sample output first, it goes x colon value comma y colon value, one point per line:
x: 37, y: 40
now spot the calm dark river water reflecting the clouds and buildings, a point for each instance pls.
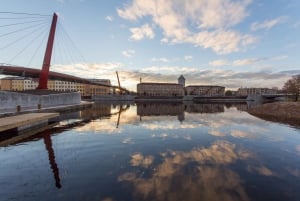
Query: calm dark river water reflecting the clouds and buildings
x: 155, y: 152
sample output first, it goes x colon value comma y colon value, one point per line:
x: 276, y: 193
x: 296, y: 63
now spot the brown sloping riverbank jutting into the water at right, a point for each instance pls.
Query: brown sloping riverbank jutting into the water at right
x: 283, y: 112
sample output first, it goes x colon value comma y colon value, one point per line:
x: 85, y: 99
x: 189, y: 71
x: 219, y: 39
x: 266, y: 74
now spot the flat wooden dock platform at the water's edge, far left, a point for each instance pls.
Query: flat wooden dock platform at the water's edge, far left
x: 12, y: 122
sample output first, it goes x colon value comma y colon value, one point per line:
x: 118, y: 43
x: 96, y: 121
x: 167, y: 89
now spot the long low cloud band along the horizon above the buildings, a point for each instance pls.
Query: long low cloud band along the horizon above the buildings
x: 169, y: 73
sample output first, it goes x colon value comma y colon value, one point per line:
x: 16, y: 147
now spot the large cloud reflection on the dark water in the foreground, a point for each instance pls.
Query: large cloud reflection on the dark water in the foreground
x: 201, y: 173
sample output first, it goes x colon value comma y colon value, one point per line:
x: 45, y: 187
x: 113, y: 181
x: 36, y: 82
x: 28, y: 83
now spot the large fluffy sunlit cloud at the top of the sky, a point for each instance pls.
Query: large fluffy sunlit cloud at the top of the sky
x: 203, y: 23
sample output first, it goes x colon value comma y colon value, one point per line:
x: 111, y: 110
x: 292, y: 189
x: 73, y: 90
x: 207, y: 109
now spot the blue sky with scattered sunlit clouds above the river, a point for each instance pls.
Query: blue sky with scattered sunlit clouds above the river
x: 232, y: 43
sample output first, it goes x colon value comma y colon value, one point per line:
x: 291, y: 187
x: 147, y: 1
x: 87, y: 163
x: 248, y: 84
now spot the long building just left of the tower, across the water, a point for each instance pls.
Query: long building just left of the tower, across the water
x: 160, y: 89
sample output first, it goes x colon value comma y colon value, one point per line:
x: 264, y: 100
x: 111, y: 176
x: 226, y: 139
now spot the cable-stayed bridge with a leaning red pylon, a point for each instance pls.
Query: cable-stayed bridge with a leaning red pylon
x: 24, y: 30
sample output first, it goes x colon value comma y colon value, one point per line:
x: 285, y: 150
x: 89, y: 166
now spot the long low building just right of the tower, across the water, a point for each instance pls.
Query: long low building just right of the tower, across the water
x: 205, y: 90
